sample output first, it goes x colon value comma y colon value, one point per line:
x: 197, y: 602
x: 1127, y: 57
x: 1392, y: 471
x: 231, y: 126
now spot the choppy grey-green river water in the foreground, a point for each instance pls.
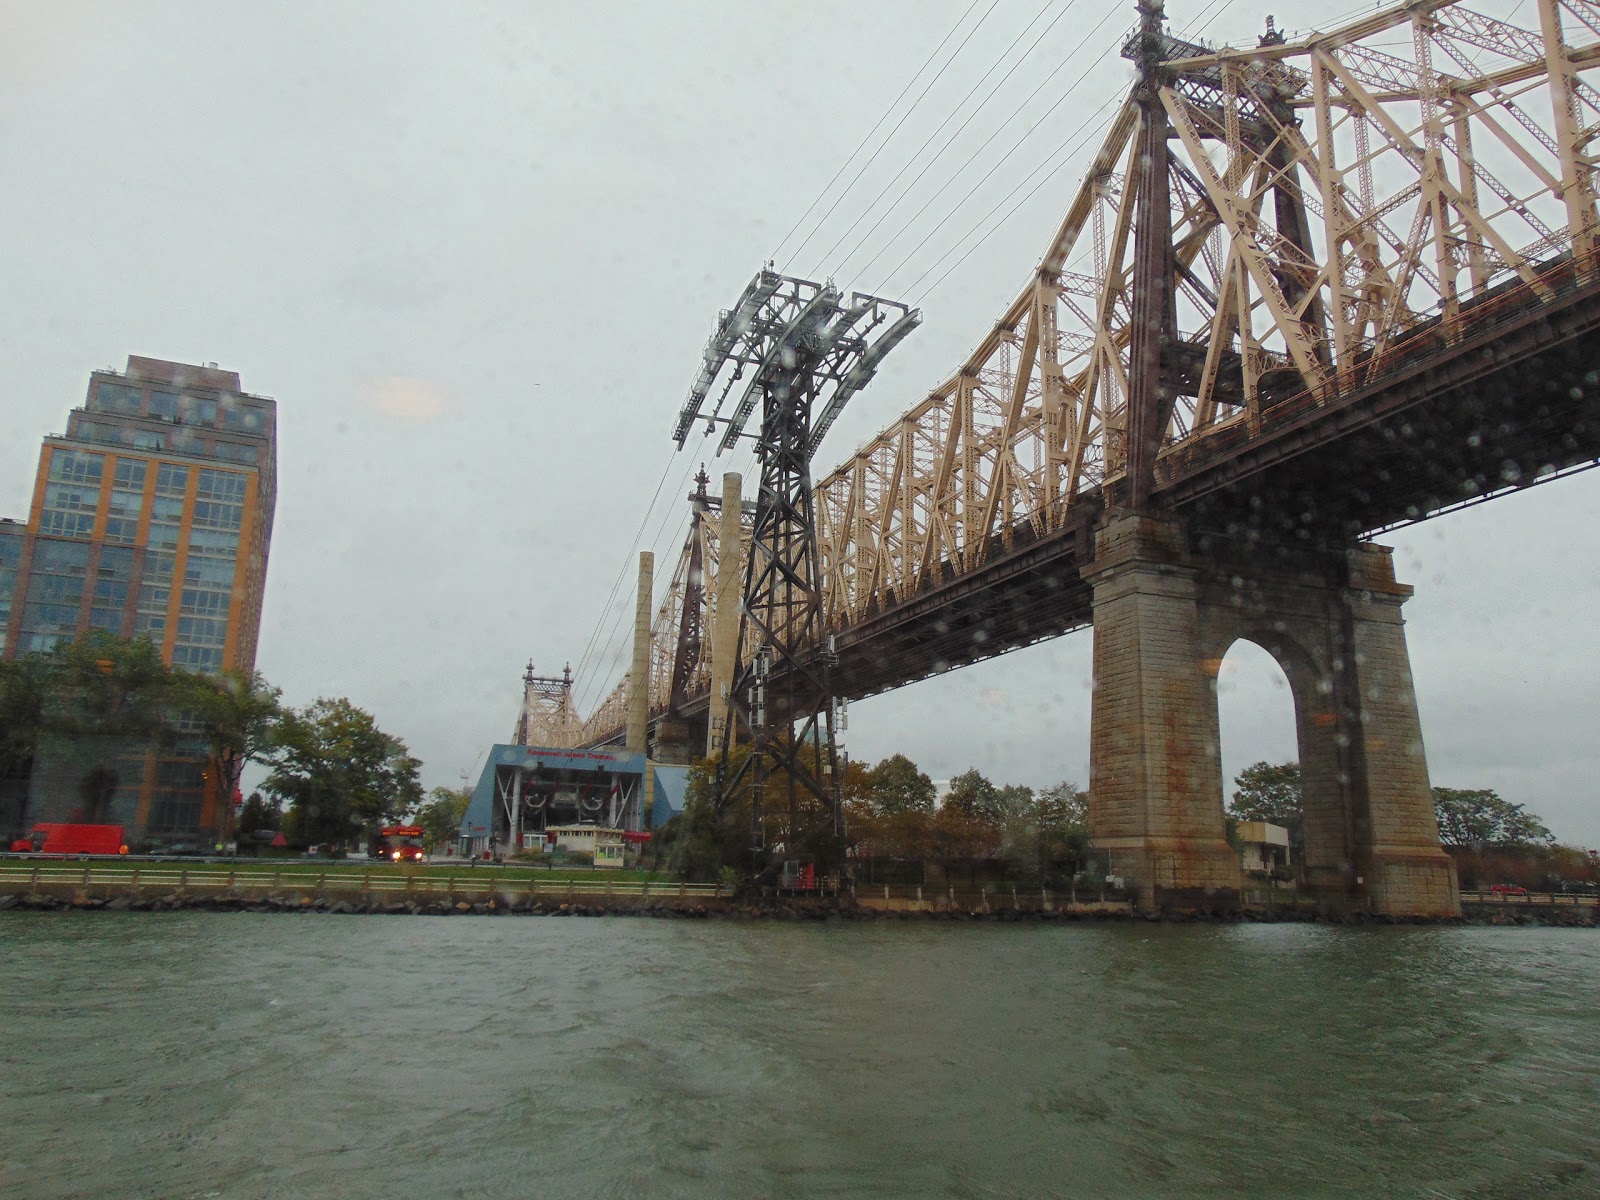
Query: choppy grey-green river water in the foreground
x: 241, y: 1055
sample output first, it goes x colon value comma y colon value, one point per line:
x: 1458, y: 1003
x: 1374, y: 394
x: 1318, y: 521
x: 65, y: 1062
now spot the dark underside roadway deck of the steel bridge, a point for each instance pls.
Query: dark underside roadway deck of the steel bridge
x: 1505, y: 398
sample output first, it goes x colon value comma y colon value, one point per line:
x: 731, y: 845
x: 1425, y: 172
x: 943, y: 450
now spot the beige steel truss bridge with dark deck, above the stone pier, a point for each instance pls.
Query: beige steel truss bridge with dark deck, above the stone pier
x: 1308, y: 290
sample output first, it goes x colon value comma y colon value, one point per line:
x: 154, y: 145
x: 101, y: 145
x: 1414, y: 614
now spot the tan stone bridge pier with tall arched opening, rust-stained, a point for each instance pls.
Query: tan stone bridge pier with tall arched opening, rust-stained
x: 1169, y: 604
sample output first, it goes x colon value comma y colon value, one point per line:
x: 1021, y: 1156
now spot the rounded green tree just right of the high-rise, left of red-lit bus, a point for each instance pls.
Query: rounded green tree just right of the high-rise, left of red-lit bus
x: 340, y: 774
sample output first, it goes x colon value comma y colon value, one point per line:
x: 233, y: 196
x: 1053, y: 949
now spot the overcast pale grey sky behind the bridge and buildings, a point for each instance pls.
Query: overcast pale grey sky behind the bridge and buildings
x: 474, y: 250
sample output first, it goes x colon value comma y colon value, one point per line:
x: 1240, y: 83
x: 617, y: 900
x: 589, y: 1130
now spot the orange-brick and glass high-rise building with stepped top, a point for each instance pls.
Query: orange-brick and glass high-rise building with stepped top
x: 151, y: 518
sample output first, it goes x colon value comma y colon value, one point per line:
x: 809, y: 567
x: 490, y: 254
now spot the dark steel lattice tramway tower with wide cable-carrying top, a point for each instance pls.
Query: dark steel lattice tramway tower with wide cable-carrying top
x: 807, y: 351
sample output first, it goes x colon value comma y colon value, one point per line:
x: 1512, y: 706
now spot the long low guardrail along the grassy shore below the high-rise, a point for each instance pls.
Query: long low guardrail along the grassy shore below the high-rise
x: 90, y: 878
